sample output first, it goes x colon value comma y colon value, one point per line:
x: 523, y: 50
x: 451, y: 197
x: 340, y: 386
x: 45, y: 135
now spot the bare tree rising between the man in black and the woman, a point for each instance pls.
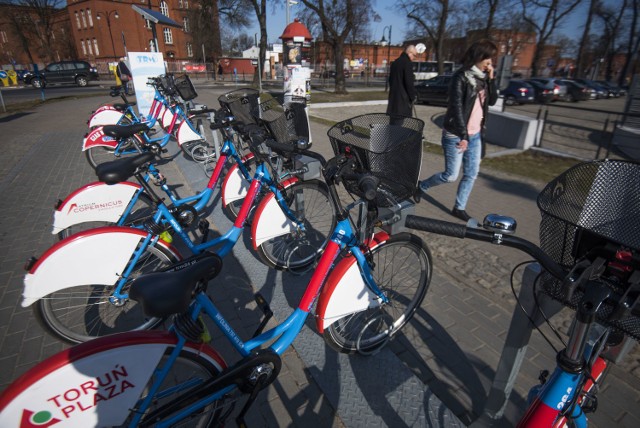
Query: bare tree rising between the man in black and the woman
x: 431, y: 17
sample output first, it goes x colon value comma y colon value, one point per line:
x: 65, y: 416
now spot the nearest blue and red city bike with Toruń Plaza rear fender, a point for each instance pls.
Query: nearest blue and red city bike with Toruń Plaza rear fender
x: 169, y: 379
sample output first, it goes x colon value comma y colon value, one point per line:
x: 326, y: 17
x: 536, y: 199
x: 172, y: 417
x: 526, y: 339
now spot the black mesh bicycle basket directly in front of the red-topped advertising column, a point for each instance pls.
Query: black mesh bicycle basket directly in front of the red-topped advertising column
x: 287, y: 123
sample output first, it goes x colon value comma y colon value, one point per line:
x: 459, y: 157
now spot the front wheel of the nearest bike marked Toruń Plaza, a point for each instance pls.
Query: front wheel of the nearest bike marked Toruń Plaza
x: 401, y: 267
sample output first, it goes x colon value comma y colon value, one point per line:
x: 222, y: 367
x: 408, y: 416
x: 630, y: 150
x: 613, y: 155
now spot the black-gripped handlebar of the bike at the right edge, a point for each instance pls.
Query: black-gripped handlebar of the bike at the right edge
x: 462, y: 231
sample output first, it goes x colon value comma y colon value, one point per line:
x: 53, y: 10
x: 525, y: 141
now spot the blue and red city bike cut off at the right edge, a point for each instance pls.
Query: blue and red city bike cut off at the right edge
x: 590, y: 253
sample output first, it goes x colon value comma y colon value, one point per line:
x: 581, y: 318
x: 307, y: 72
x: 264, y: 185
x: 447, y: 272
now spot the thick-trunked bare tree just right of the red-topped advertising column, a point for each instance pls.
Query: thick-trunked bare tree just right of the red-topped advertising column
x: 337, y: 18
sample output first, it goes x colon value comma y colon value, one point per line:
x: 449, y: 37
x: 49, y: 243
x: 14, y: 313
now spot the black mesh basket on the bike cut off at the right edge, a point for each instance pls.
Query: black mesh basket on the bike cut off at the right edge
x: 590, y: 204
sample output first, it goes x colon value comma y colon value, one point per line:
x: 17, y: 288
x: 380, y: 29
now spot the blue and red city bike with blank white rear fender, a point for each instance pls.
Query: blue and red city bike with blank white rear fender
x: 80, y: 296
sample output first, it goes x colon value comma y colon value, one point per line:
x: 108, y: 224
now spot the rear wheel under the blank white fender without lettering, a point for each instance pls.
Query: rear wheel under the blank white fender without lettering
x: 81, y: 313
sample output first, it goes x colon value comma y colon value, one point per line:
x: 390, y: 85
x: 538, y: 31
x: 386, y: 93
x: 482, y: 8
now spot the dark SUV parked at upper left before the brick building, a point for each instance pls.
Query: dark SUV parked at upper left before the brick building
x: 74, y: 72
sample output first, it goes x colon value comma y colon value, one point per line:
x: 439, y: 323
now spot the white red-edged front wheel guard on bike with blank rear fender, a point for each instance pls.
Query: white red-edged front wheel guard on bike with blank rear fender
x: 269, y: 220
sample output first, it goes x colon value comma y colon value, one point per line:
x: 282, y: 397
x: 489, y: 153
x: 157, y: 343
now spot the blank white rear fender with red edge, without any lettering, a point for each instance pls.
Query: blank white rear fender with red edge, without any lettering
x: 95, y: 256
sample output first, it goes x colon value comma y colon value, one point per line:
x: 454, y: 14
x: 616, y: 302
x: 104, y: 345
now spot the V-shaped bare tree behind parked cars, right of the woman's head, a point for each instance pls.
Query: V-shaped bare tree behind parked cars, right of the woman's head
x: 544, y: 16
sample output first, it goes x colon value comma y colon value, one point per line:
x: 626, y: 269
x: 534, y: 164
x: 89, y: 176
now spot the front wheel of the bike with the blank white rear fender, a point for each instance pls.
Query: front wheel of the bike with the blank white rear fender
x: 309, y: 202
